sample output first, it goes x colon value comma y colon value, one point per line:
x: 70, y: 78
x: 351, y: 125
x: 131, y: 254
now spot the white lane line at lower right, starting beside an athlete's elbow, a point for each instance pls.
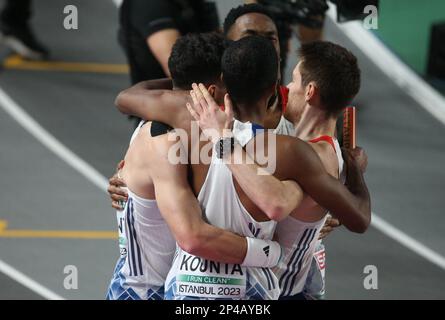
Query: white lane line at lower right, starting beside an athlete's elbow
x: 407, y: 241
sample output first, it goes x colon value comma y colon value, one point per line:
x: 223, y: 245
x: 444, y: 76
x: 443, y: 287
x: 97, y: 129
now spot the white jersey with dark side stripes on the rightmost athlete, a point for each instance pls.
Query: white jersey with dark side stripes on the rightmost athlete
x: 300, y: 242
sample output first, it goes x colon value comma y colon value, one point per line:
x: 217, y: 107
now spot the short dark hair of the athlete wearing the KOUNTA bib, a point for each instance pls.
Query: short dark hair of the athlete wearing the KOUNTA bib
x: 249, y: 67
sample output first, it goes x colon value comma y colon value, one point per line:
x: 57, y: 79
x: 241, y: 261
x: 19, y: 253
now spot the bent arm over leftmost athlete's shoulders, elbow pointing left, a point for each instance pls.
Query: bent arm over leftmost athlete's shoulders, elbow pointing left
x: 153, y: 100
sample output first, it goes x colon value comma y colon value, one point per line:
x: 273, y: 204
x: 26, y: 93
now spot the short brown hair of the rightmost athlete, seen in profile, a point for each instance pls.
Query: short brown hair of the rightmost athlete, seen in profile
x: 334, y: 70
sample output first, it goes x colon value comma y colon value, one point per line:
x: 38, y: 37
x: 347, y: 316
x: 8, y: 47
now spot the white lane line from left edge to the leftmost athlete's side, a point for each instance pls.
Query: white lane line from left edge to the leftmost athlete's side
x: 49, y: 141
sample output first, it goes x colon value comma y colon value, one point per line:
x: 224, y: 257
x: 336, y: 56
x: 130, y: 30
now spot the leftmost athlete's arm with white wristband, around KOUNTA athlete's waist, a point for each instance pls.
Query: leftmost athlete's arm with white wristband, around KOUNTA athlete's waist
x: 182, y: 213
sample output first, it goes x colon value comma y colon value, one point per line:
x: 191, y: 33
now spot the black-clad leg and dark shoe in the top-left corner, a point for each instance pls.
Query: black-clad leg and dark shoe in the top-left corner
x: 16, y: 33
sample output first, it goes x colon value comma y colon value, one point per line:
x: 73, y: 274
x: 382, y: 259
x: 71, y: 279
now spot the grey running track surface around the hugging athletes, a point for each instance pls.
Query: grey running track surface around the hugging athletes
x: 39, y: 191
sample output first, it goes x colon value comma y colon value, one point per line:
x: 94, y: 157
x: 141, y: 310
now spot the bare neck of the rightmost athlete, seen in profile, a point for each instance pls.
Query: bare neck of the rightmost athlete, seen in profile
x: 314, y: 123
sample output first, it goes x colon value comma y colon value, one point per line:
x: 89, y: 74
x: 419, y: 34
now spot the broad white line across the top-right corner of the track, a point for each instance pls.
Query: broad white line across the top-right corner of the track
x: 408, y: 80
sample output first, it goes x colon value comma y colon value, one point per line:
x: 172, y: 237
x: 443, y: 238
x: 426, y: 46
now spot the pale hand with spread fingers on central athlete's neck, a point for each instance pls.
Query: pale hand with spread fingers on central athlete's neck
x: 214, y: 122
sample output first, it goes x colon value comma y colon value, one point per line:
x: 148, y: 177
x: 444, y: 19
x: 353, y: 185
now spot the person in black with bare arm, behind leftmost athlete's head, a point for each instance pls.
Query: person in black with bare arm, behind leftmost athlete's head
x: 149, y: 28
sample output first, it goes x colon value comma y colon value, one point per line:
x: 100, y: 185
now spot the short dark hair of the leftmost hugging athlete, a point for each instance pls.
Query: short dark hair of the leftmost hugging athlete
x: 196, y: 58
